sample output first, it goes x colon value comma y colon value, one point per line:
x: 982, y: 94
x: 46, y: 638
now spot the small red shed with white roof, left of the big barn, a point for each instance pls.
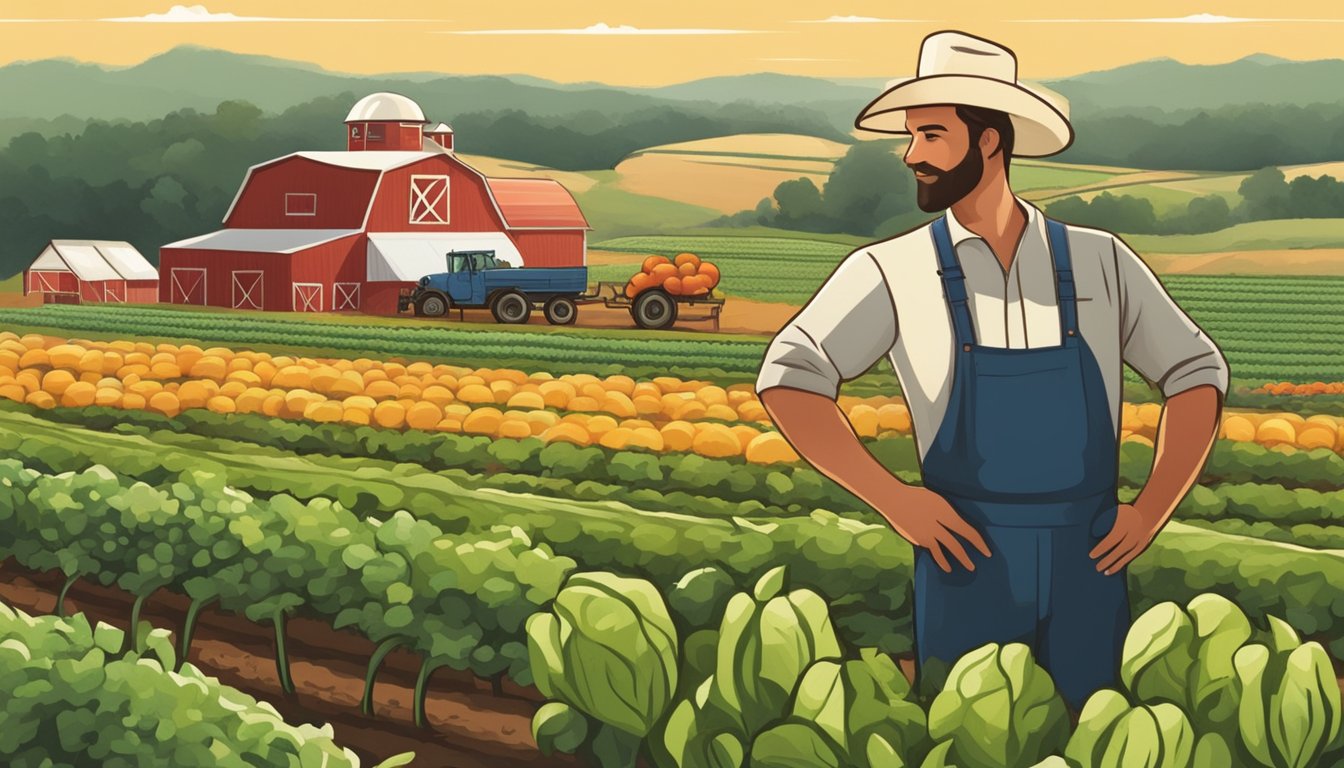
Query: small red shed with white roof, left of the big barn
x: 95, y: 270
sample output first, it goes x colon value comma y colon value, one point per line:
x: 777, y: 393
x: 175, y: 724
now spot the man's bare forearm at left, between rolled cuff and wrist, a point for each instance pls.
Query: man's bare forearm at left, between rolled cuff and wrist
x: 819, y: 431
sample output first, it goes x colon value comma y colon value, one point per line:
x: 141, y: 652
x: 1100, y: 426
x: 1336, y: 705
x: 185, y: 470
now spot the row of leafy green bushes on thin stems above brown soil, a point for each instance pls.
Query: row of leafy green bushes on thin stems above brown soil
x: 458, y: 599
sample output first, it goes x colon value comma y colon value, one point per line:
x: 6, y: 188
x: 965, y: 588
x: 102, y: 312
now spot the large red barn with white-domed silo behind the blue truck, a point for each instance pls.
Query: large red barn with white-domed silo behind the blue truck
x: 318, y: 232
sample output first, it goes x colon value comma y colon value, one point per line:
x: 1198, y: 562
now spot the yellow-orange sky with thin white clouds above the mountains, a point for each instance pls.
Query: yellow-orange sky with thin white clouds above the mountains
x: 648, y: 44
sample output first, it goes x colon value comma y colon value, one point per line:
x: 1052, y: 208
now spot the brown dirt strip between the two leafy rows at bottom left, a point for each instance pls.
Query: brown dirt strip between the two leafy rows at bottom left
x: 470, y: 727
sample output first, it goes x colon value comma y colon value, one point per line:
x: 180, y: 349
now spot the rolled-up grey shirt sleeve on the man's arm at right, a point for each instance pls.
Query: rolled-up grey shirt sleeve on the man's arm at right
x: 1158, y: 337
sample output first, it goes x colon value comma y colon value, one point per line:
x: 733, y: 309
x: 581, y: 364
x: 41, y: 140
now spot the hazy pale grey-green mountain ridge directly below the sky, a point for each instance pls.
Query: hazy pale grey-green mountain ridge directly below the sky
x: 201, y: 79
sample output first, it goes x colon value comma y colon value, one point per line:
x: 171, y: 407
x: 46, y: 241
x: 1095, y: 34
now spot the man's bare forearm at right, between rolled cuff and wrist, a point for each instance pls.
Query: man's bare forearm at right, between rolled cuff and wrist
x: 1185, y: 438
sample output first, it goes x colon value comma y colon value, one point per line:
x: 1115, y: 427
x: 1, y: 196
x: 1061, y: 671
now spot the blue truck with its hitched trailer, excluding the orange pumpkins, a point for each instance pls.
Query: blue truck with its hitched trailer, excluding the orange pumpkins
x: 476, y: 279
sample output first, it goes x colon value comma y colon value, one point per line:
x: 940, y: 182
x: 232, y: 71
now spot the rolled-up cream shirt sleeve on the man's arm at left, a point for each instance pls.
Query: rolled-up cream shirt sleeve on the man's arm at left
x: 847, y: 326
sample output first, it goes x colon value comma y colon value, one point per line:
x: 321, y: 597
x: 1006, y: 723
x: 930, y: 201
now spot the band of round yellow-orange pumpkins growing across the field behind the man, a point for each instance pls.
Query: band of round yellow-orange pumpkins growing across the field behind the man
x: 665, y: 414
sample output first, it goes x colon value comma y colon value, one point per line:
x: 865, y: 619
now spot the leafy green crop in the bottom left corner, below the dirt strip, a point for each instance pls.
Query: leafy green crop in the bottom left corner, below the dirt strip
x: 75, y: 699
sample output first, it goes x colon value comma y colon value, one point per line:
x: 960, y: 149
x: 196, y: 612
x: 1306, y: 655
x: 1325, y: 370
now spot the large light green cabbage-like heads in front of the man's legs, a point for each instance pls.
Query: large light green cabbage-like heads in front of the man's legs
x: 772, y: 685
